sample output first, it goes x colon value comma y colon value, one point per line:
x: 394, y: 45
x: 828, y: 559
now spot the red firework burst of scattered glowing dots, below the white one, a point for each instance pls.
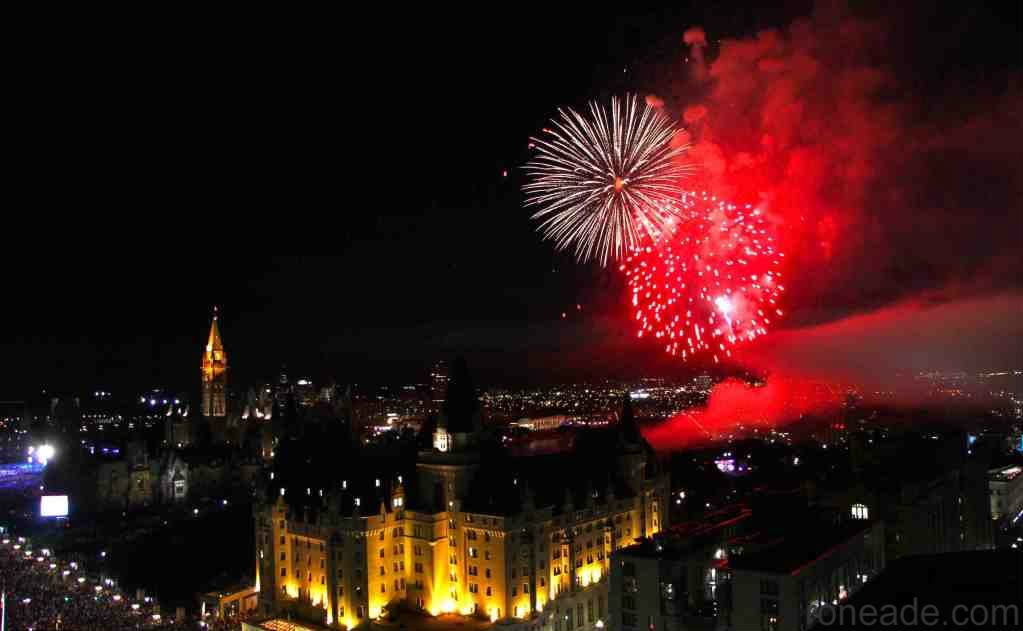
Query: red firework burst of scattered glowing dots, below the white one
x: 710, y: 282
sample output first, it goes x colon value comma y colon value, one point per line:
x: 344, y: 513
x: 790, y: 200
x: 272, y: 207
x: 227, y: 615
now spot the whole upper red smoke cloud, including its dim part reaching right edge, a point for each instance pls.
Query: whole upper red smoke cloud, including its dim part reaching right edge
x: 880, y: 190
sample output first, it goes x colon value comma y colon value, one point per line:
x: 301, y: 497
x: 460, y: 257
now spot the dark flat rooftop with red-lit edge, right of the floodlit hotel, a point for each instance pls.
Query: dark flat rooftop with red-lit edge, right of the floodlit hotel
x: 791, y: 553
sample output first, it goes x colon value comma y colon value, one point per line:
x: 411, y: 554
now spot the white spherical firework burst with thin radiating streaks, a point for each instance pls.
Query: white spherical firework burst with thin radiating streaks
x: 606, y: 183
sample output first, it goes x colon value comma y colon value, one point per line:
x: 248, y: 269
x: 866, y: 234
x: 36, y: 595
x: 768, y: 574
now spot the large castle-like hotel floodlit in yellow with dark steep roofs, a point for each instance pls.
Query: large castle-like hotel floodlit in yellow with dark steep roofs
x: 466, y: 530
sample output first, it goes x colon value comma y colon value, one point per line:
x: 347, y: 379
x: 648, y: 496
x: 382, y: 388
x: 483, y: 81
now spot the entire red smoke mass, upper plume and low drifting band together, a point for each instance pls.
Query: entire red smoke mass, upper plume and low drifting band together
x: 897, y: 198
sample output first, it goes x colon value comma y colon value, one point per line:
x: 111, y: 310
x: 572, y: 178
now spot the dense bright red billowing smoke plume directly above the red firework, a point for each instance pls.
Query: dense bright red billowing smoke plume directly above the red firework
x: 792, y: 118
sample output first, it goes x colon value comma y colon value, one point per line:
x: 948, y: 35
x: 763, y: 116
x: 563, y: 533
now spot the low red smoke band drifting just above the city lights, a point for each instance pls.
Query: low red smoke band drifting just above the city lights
x: 810, y: 368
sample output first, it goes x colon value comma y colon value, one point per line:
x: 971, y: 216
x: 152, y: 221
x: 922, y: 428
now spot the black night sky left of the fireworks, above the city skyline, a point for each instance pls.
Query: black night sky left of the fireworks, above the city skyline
x: 156, y: 169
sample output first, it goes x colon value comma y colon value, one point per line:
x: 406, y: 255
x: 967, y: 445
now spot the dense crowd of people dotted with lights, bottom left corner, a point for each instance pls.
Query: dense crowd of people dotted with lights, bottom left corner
x: 42, y: 594
